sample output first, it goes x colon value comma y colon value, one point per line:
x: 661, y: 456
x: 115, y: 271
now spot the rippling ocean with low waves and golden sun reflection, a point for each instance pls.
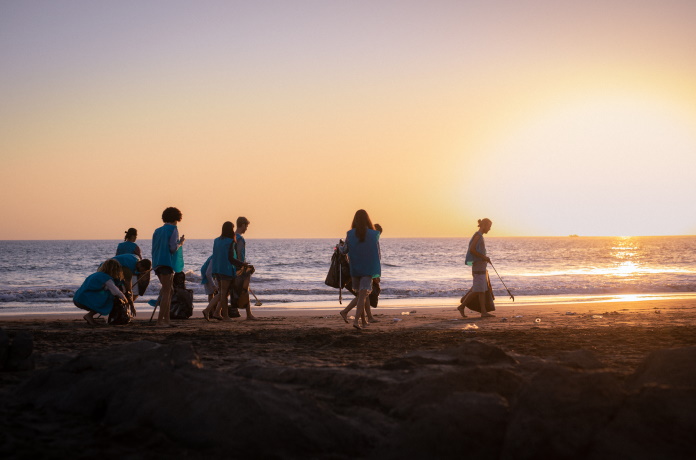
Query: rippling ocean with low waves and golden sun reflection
x: 41, y: 276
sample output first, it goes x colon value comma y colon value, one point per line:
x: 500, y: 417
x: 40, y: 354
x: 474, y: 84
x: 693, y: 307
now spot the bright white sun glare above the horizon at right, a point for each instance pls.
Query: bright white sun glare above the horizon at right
x: 602, y: 167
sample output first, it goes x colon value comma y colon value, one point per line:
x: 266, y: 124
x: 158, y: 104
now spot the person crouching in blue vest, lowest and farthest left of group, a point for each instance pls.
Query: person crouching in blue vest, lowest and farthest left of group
x: 97, y: 293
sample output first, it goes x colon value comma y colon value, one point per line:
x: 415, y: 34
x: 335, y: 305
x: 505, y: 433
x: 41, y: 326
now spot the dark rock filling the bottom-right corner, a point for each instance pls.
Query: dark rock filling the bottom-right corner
x: 655, y: 422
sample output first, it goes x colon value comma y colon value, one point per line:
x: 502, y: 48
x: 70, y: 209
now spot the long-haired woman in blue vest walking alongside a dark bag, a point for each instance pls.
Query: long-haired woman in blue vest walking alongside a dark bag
x: 362, y: 247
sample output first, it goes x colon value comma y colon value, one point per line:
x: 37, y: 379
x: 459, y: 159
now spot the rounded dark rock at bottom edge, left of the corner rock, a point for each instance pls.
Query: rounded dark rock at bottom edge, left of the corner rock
x: 559, y: 411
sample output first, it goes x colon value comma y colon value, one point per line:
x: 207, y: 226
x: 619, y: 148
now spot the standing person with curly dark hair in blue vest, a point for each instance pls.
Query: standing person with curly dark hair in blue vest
x: 165, y: 245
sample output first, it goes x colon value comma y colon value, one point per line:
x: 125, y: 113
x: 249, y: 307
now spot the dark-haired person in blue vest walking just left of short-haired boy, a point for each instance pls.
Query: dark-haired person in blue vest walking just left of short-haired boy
x: 225, y: 265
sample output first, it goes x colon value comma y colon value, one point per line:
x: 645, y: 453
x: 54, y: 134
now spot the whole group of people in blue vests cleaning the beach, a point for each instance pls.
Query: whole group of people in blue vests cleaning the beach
x: 227, y: 269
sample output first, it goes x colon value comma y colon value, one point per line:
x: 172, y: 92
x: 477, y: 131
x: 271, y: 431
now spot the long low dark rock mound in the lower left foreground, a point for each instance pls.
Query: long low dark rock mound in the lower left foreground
x: 165, y: 389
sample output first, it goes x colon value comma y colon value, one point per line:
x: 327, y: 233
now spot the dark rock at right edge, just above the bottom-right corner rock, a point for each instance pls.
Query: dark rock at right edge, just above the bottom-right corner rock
x: 675, y: 367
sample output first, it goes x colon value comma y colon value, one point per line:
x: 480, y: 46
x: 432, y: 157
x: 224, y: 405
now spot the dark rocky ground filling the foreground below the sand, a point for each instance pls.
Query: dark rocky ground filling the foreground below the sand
x: 468, y: 399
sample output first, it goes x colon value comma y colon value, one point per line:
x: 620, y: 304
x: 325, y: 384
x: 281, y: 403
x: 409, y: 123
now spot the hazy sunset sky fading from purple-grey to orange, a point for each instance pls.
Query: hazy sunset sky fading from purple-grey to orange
x: 549, y: 117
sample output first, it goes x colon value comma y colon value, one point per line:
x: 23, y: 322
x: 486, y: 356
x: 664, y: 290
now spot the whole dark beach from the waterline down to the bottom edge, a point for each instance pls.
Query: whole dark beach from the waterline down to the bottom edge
x: 371, y: 386
